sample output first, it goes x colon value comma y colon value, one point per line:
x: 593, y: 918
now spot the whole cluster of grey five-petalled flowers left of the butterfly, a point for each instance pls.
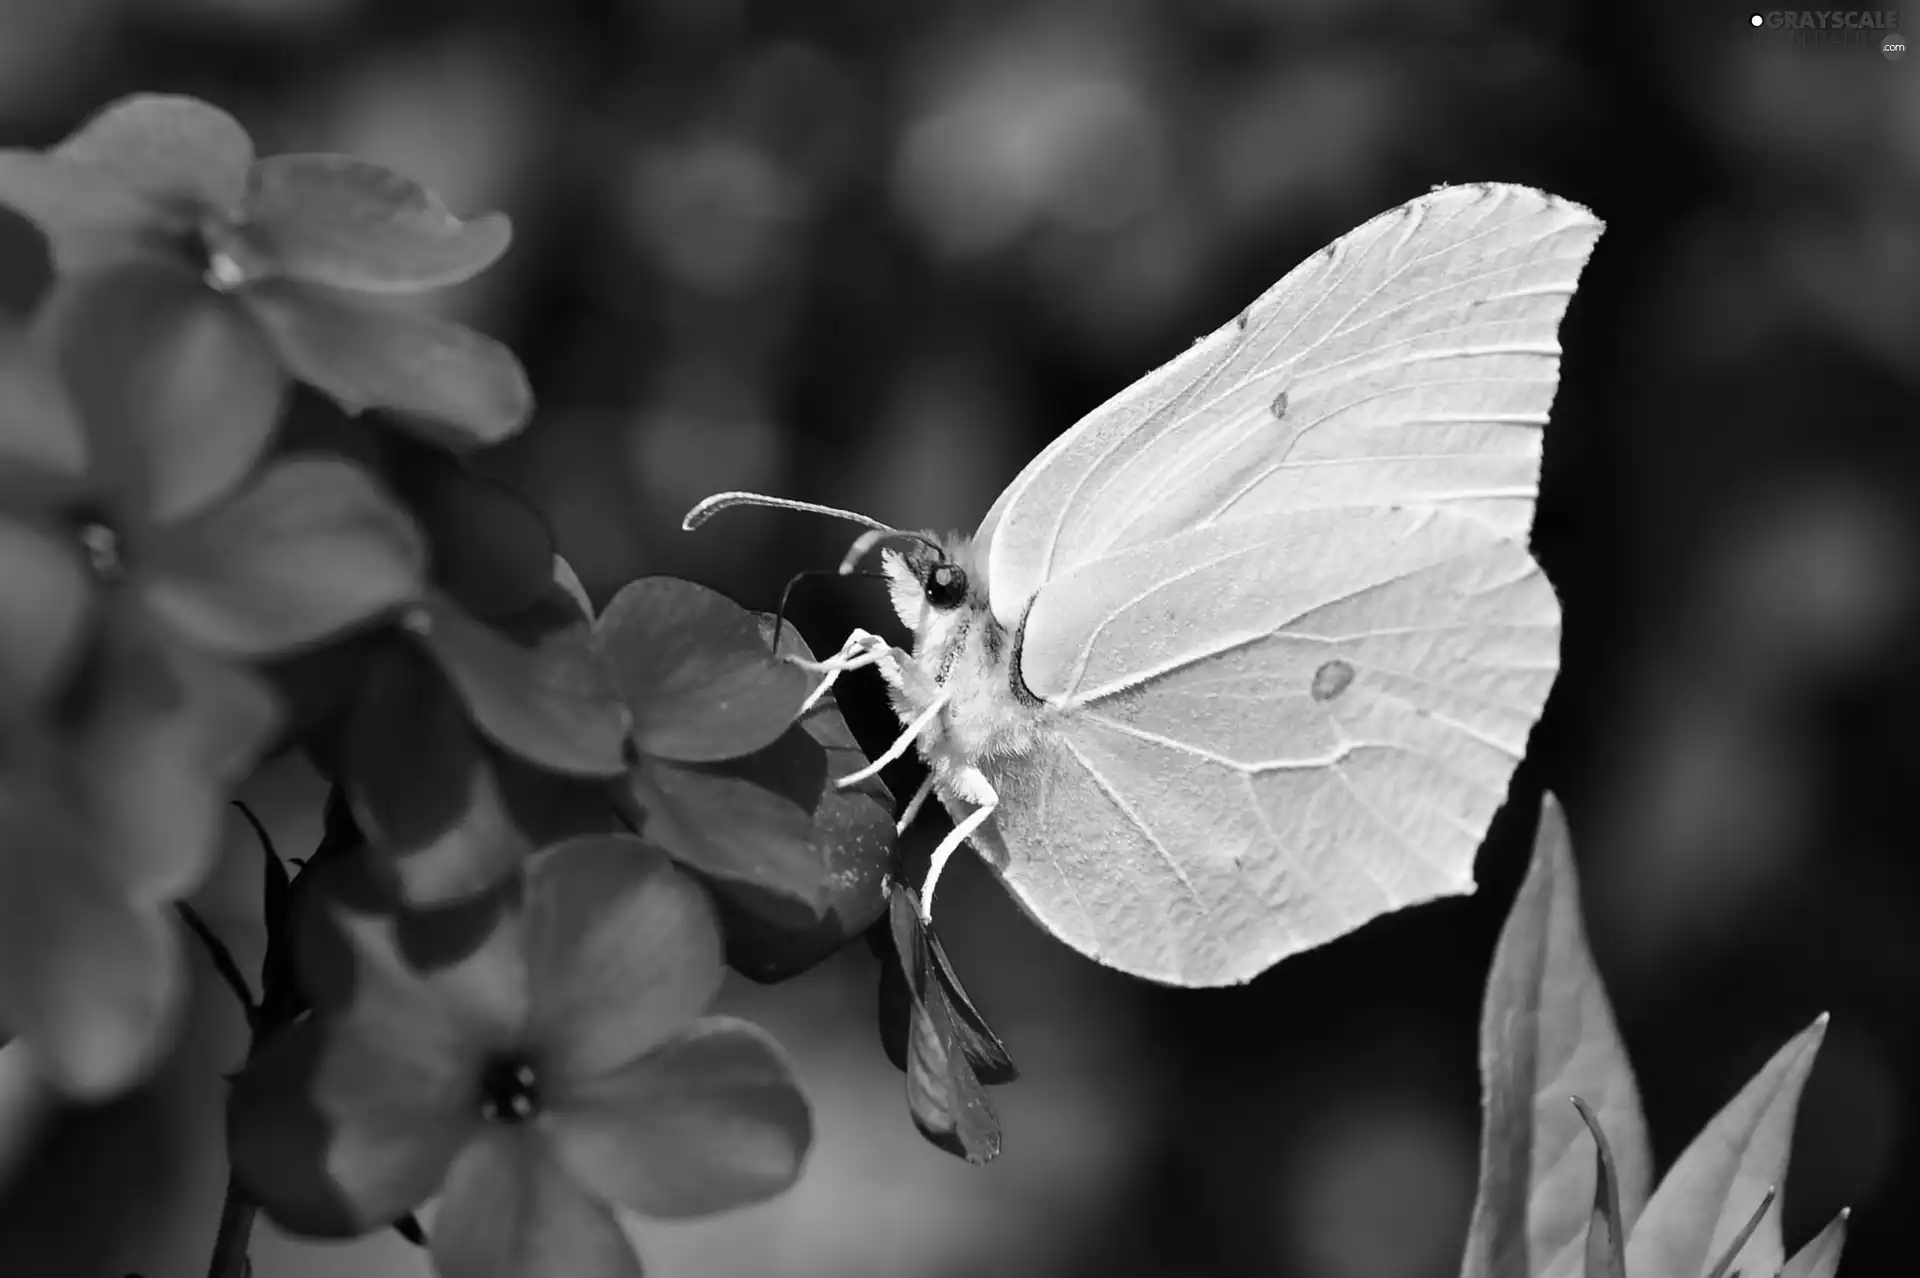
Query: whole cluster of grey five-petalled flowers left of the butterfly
x: 239, y: 517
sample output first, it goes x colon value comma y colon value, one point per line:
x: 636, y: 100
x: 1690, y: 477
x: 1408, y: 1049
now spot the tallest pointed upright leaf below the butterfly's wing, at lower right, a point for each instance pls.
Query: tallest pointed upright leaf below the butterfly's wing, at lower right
x: 1547, y: 1033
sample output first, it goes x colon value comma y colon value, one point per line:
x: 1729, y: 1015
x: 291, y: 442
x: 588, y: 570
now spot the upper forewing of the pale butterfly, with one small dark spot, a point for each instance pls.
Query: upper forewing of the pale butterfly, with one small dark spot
x: 1412, y: 362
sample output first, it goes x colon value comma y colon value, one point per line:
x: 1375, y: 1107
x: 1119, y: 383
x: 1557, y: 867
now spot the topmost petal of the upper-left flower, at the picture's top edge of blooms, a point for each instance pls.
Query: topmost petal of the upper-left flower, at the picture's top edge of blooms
x: 180, y: 151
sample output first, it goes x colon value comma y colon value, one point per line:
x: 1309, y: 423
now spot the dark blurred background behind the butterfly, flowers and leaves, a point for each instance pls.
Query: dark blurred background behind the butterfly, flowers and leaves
x: 878, y: 254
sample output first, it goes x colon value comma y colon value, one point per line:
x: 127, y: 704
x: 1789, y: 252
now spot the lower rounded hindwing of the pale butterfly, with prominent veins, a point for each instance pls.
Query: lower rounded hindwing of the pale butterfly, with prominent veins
x: 1268, y: 732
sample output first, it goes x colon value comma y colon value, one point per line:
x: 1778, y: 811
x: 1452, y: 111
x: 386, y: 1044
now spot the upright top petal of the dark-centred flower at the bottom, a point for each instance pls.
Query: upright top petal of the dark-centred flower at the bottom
x: 623, y: 953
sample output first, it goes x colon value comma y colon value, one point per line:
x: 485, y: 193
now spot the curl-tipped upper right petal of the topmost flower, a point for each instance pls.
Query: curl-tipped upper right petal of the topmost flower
x: 348, y: 224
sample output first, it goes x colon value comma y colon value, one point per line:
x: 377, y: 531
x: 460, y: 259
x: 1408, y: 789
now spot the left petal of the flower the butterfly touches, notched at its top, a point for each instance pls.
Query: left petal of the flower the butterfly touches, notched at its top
x: 552, y: 701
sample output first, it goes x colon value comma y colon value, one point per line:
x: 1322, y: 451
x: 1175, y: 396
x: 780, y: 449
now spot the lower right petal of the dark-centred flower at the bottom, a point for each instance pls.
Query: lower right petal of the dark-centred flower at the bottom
x: 709, y: 1122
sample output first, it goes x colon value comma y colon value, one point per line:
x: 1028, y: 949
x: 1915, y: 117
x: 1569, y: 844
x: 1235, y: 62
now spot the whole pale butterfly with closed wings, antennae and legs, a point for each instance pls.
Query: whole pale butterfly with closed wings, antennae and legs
x: 1251, y: 653
